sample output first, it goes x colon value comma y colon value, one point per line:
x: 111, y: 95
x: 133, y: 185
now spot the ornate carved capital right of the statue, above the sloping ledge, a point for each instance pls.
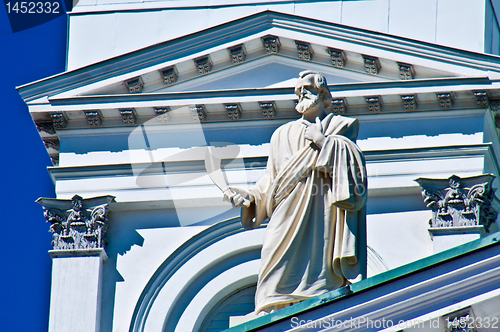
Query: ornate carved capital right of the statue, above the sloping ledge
x: 460, y: 202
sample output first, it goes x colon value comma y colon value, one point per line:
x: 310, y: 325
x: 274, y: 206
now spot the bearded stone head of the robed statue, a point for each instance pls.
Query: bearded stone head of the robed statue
x: 313, y: 92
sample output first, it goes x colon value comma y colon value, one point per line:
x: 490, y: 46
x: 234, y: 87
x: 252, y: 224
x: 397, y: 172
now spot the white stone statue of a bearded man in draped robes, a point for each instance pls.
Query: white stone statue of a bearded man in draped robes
x: 314, y: 194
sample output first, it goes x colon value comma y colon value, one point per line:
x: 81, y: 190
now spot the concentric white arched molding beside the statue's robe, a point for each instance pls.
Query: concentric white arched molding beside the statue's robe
x: 203, y: 259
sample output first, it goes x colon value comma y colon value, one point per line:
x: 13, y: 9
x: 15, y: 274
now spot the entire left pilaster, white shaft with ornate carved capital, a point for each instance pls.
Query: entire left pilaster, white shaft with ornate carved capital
x: 78, y: 226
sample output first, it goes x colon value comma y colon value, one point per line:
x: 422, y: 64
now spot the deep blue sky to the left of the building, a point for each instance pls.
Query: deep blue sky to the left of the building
x: 25, y: 56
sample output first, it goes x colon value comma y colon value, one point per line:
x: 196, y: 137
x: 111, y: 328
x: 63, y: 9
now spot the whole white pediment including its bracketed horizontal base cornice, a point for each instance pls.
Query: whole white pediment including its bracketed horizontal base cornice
x: 376, y: 73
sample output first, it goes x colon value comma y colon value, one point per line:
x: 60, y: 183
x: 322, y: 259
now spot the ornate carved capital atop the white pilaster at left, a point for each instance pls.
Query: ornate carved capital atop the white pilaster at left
x: 77, y: 223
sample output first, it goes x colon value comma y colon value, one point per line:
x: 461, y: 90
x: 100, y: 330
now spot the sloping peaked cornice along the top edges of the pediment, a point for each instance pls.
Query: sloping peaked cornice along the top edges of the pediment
x: 233, y: 32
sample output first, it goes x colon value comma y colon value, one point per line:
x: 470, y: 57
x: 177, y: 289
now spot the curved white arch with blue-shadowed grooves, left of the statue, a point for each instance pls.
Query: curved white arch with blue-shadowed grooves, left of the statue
x: 240, y: 250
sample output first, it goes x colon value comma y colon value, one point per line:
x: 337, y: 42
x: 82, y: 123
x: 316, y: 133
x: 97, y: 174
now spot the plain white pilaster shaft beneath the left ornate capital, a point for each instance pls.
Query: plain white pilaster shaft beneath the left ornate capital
x: 75, y: 298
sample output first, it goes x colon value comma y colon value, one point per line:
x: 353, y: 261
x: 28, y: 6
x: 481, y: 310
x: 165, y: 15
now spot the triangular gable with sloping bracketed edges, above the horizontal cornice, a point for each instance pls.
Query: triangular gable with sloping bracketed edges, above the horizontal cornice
x: 362, y: 56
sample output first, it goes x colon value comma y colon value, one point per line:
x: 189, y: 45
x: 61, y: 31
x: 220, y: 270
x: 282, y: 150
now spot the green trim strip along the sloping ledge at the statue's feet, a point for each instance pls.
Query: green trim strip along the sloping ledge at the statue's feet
x: 372, y: 282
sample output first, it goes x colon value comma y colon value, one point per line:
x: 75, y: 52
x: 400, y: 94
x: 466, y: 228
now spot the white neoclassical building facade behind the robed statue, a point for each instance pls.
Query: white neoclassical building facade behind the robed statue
x: 154, y: 91
